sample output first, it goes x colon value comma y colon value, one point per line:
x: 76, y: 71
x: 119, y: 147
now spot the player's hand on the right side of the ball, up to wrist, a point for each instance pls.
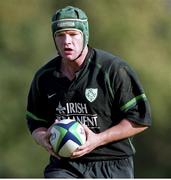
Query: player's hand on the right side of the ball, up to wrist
x: 92, y: 141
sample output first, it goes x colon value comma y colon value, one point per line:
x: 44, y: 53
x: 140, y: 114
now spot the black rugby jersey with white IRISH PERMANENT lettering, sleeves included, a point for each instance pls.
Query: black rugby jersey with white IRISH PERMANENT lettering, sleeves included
x: 104, y: 91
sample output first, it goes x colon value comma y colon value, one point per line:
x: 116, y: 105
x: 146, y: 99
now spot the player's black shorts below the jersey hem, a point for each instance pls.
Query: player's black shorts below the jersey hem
x: 118, y: 168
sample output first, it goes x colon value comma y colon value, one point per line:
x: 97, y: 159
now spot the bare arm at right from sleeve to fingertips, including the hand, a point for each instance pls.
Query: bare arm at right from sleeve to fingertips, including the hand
x: 118, y: 132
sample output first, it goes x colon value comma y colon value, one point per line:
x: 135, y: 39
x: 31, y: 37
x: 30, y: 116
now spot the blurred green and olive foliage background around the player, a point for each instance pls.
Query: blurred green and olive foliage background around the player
x: 138, y: 31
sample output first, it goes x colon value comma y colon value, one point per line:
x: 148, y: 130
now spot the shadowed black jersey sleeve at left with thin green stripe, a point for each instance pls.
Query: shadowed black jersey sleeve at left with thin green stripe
x: 36, y: 108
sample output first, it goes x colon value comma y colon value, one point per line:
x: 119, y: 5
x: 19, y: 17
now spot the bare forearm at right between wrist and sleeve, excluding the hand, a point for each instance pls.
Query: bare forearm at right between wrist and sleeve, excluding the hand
x: 123, y: 130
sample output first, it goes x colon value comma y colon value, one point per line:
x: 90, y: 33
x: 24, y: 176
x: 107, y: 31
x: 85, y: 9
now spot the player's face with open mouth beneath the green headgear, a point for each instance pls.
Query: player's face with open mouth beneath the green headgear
x: 69, y: 43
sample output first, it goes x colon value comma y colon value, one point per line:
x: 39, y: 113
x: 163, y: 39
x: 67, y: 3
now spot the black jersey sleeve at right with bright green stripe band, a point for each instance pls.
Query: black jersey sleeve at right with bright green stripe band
x: 130, y: 97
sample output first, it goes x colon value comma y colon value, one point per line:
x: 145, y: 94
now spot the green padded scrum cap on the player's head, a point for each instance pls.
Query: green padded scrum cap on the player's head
x: 71, y: 18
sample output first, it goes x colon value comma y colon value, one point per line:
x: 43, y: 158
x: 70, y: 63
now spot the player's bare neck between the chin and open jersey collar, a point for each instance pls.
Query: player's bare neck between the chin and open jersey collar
x: 69, y: 68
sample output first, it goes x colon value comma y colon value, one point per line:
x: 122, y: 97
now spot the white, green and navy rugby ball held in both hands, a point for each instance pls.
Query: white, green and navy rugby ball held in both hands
x: 66, y: 136
